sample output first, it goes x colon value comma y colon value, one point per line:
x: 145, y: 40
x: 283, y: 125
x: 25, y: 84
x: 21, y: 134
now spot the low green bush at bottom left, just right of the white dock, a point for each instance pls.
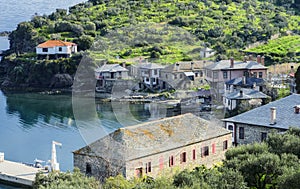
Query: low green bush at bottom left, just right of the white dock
x: 75, y: 180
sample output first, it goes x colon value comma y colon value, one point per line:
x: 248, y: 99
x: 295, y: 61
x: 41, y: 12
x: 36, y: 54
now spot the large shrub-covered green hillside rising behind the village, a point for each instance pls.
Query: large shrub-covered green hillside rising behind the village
x: 227, y: 26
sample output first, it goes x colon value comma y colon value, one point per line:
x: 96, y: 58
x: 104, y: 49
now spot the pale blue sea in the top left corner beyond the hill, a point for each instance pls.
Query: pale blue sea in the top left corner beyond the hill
x: 13, y: 12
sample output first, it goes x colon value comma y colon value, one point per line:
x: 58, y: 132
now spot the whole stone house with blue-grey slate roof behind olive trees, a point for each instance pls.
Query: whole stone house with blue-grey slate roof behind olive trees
x: 254, y: 125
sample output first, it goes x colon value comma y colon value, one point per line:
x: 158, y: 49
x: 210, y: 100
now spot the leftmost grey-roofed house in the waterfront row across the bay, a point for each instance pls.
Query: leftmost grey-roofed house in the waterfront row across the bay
x: 108, y: 74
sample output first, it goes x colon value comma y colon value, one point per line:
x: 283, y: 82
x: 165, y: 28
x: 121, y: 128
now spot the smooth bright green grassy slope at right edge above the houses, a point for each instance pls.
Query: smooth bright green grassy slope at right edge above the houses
x: 284, y: 49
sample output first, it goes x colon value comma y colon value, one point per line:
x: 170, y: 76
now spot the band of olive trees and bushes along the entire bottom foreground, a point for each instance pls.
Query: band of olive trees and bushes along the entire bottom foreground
x: 274, y: 163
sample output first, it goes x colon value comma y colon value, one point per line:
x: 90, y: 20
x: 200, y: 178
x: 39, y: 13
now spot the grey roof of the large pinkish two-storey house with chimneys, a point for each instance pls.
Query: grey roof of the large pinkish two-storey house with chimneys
x: 225, y: 64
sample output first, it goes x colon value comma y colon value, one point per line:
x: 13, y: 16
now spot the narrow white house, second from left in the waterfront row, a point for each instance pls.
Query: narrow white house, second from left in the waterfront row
x: 148, y: 74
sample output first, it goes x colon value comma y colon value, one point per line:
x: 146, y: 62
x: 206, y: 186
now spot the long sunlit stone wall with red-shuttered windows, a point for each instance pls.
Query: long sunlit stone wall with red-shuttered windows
x: 160, y: 161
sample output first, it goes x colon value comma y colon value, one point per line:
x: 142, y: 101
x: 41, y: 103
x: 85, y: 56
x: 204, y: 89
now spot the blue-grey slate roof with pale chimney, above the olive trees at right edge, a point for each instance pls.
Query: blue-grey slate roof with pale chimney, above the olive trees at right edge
x: 285, y: 116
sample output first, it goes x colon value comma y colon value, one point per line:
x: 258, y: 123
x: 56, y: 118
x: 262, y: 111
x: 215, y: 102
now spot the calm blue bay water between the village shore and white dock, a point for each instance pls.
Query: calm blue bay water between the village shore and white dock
x: 29, y: 123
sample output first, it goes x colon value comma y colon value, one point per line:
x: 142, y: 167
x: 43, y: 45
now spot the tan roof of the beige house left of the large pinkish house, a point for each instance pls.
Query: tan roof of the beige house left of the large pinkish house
x: 187, y: 66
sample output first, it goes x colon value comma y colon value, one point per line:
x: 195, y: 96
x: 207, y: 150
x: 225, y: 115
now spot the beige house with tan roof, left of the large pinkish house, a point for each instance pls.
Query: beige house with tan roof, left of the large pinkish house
x: 183, y: 75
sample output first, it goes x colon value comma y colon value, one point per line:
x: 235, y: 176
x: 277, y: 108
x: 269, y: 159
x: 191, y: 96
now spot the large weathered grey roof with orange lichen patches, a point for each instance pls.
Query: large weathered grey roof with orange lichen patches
x: 153, y: 137
